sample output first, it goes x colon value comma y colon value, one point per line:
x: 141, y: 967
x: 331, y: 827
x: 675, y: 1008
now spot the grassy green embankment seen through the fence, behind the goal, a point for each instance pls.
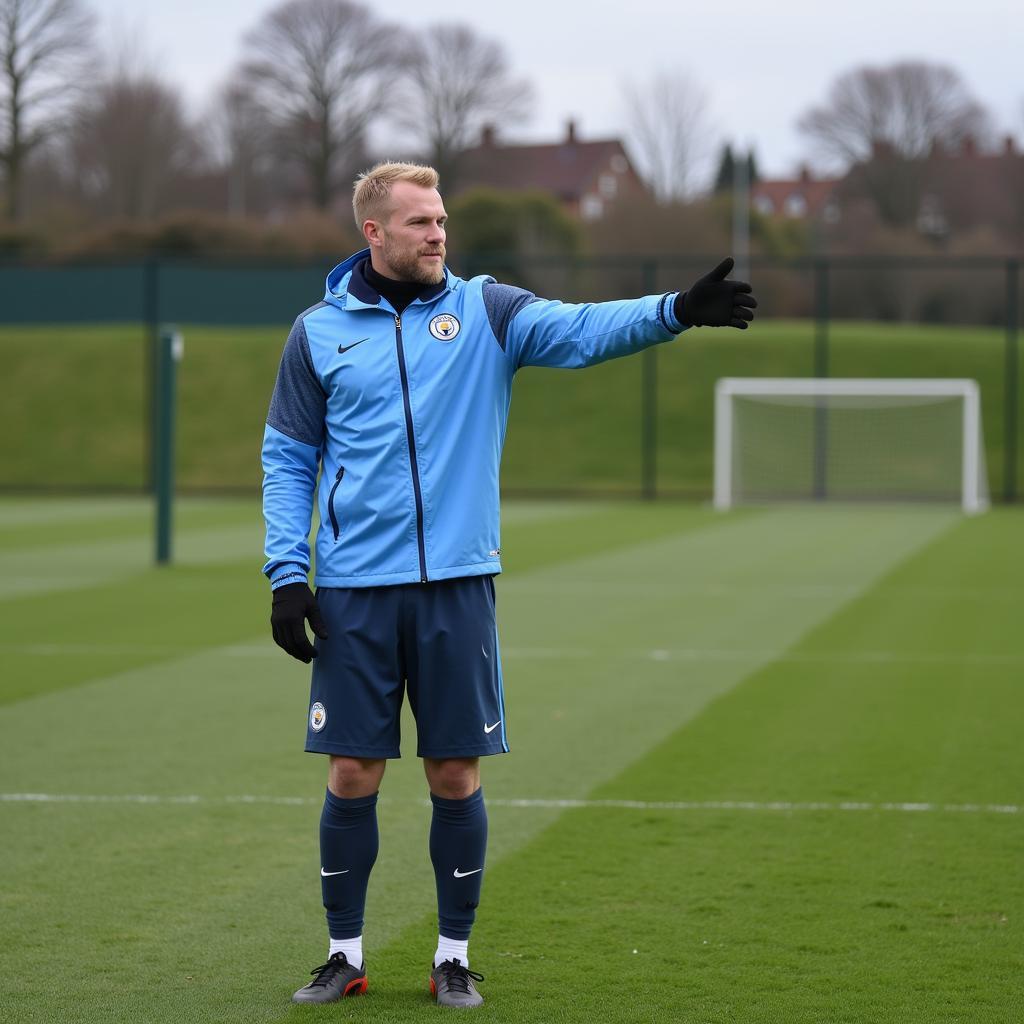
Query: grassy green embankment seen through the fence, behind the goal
x: 74, y: 411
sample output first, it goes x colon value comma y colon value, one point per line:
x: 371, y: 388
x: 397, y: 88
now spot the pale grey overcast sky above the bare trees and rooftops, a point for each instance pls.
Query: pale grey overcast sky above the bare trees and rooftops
x: 760, y: 64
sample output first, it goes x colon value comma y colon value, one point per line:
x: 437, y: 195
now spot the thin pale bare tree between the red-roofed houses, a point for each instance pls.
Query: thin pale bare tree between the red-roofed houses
x: 669, y: 133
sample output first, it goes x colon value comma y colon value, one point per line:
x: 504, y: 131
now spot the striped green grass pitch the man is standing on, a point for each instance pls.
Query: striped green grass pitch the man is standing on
x: 765, y: 767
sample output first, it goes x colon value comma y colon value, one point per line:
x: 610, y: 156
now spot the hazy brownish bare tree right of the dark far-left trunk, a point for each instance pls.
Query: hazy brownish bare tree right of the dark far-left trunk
x: 133, y: 147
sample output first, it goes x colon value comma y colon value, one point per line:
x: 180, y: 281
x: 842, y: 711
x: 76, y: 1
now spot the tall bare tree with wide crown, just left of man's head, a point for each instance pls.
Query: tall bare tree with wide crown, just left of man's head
x: 320, y: 71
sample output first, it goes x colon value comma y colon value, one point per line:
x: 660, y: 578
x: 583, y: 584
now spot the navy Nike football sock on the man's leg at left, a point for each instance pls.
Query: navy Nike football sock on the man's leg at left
x: 349, y: 849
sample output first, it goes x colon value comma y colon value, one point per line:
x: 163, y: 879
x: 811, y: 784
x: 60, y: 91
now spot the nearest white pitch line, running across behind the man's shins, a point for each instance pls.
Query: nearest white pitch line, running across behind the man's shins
x: 568, y: 804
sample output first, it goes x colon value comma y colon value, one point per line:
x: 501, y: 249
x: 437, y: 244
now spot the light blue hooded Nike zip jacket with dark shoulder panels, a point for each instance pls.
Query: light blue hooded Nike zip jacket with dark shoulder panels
x: 405, y: 418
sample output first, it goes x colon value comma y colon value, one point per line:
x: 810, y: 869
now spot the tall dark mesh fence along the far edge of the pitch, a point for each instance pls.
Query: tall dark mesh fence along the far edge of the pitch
x: 77, y: 345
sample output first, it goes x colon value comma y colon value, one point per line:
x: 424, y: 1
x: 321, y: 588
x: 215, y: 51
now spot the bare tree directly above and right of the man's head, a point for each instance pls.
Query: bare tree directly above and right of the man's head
x: 457, y: 83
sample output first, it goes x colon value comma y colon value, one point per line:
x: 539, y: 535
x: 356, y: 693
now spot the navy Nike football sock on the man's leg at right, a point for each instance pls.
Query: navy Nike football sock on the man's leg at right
x: 458, y: 843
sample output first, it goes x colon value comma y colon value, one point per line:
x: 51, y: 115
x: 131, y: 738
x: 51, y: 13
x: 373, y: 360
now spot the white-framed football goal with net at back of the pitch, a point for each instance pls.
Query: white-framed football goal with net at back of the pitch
x: 828, y: 440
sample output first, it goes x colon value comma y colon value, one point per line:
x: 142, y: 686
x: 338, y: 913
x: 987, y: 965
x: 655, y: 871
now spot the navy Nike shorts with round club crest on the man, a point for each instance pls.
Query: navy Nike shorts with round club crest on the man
x: 437, y: 642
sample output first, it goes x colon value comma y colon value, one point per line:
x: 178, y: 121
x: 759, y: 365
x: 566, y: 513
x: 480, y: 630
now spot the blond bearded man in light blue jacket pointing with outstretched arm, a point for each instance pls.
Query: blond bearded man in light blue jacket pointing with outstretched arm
x: 396, y: 389
